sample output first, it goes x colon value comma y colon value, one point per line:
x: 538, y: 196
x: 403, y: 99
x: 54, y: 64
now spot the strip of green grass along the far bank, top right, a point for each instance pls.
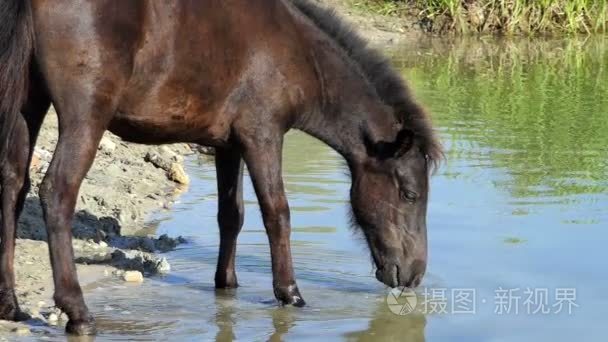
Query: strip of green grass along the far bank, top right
x: 508, y: 17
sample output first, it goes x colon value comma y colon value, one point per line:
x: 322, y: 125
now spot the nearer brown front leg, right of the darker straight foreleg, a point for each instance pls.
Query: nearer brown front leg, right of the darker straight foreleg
x: 263, y: 157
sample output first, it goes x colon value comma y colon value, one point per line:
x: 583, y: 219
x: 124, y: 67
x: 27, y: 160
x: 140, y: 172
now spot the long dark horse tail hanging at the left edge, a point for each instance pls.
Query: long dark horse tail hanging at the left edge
x: 16, y: 50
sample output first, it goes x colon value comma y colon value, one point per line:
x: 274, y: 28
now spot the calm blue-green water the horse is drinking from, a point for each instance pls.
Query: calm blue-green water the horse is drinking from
x: 521, y: 205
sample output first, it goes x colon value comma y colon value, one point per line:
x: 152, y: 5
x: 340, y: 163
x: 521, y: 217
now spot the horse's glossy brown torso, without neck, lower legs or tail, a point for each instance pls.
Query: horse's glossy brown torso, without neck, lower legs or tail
x: 175, y: 70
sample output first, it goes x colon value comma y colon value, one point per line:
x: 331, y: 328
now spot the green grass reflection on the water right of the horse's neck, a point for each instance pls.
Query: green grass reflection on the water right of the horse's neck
x: 536, y: 109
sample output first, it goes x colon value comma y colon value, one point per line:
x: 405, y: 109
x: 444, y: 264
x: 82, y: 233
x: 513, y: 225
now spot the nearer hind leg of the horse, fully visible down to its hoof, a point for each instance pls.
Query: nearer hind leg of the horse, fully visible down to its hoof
x: 79, y: 136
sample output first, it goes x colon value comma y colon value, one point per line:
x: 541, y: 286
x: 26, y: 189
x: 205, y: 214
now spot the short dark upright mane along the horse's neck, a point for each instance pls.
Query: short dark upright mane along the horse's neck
x: 389, y: 85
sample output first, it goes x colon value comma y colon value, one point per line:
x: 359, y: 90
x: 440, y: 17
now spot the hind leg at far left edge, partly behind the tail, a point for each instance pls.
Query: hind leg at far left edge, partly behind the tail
x: 15, y: 184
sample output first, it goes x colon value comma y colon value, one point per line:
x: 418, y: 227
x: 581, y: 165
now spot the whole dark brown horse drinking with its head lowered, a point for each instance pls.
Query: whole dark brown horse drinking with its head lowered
x: 233, y: 74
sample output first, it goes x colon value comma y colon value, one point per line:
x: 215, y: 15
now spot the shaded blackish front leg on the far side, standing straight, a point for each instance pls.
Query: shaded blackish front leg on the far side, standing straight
x: 229, y: 168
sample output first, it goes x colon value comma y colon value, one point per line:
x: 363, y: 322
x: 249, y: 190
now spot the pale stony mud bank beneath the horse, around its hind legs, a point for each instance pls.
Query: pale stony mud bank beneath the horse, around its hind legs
x: 126, y: 183
